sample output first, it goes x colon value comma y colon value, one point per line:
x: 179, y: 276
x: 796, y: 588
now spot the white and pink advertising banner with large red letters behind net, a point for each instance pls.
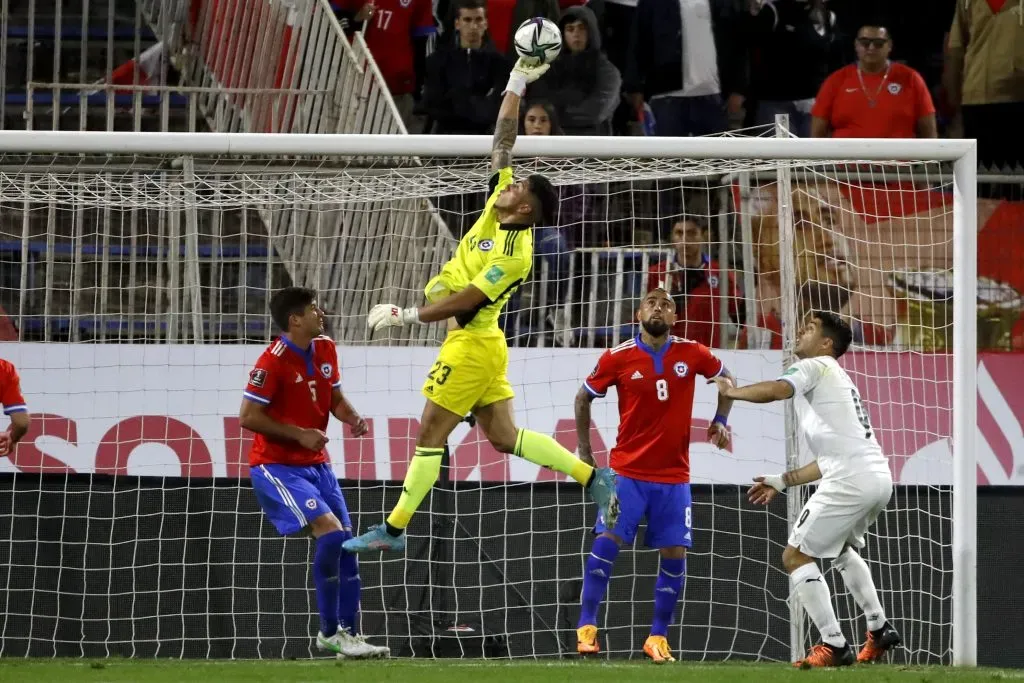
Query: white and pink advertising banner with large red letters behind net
x: 173, y: 411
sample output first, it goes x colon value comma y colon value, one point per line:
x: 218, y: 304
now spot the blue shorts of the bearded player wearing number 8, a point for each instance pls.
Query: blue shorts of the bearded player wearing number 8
x: 667, y: 507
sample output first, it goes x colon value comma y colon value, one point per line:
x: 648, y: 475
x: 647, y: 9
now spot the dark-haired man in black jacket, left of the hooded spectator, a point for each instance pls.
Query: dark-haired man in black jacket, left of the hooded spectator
x: 465, y: 80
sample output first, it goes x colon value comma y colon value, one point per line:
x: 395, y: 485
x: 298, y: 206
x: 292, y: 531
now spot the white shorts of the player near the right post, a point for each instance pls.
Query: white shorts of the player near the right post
x: 839, y: 515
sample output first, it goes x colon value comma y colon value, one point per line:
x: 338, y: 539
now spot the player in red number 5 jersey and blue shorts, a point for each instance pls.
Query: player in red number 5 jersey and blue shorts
x: 292, y: 393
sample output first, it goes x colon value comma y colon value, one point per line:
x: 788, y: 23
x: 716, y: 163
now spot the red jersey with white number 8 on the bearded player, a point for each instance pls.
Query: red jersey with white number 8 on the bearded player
x: 656, y: 405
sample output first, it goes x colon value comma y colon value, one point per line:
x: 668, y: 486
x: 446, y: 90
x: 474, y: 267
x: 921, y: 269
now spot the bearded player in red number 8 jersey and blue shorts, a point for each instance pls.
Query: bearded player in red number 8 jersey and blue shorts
x: 655, y: 375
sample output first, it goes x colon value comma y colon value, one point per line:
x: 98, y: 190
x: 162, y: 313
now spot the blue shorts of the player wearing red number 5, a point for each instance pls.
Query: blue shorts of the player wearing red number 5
x: 293, y: 497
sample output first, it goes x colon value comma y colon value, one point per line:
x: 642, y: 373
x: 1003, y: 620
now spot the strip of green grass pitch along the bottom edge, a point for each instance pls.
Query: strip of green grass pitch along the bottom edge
x: 449, y: 671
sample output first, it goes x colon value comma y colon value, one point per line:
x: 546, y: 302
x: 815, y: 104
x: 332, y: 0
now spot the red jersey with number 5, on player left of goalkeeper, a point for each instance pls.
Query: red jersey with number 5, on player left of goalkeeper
x: 296, y: 387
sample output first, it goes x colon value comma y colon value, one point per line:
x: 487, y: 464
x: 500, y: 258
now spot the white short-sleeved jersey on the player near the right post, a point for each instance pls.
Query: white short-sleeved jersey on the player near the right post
x: 836, y: 425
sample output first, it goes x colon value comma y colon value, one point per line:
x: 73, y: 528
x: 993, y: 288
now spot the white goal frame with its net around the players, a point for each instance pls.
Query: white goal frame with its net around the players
x: 357, y: 218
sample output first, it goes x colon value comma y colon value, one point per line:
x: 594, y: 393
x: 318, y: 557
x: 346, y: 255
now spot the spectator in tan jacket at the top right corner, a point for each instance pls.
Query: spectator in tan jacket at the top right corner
x: 985, y: 77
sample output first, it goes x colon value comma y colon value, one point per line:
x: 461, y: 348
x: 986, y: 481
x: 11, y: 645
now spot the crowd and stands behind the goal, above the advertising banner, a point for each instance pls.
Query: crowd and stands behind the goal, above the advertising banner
x: 874, y: 247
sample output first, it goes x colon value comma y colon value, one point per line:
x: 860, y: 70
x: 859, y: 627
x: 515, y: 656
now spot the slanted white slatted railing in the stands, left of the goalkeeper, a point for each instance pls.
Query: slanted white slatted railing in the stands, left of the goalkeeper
x: 302, y: 75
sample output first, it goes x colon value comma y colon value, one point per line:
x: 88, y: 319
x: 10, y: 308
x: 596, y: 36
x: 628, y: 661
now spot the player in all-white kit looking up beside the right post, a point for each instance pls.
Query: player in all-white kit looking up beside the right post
x: 857, y: 486
